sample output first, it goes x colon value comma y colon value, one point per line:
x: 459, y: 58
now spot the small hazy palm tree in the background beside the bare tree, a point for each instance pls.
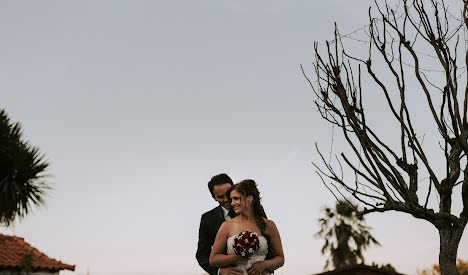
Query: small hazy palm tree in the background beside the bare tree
x: 346, y: 235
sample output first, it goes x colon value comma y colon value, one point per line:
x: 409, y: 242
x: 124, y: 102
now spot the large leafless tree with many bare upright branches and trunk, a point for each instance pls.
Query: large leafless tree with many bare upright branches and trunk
x: 401, y: 175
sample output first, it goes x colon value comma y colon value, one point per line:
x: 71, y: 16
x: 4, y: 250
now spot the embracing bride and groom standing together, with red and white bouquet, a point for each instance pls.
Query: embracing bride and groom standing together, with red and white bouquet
x: 236, y: 238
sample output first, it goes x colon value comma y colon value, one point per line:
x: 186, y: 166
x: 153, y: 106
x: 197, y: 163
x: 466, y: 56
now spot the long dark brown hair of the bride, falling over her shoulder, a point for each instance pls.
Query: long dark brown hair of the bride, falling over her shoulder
x: 249, y: 188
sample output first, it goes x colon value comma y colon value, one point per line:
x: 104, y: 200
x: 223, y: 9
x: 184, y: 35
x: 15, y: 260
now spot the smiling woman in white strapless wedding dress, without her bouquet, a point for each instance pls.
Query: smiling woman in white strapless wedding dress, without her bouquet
x: 245, y: 201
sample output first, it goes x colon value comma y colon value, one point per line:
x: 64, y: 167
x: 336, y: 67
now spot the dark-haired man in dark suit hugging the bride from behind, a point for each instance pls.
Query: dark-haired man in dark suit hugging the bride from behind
x: 210, y: 223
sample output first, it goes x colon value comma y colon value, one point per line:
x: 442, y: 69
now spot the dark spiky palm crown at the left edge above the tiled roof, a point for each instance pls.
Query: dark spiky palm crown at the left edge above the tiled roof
x: 22, y: 169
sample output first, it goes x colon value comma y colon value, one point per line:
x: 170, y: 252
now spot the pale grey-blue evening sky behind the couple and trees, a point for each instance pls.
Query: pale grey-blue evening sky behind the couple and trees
x: 137, y: 104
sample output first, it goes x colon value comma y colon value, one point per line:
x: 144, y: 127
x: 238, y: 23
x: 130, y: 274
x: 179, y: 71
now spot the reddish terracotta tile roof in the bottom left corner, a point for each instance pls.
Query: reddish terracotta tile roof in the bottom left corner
x: 13, y: 248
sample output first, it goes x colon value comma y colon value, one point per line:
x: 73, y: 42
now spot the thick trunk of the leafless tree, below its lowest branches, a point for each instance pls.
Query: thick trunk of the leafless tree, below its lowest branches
x: 449, y: 240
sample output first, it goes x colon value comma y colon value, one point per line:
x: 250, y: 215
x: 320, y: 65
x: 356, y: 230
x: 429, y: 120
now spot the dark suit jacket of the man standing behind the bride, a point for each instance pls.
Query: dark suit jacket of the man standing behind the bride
x: 209, y: 226
